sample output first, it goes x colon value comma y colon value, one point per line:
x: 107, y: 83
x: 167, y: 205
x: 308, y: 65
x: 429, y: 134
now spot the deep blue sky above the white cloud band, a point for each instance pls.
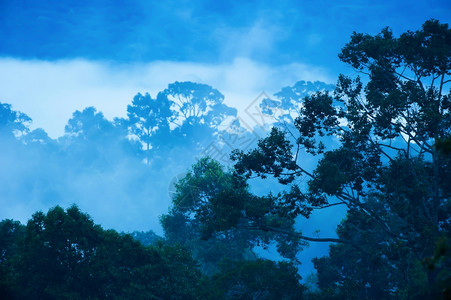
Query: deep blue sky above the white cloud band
x: 273, y: 32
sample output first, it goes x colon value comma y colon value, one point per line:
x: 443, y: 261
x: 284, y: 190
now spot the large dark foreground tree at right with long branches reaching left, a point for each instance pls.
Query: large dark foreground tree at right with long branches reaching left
x: 381, y: 165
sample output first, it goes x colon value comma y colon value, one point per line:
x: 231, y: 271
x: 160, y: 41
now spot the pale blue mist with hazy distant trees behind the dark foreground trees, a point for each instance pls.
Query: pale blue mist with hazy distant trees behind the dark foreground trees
x: 105, y: 168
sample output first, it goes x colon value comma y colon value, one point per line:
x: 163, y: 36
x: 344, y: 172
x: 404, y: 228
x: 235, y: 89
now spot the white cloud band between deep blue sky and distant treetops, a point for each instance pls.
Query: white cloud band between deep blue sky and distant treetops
x: 49, y: 92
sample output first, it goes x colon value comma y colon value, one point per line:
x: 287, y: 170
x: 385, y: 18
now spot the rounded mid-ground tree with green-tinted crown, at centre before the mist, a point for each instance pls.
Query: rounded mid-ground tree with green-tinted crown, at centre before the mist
x: 208, y: 200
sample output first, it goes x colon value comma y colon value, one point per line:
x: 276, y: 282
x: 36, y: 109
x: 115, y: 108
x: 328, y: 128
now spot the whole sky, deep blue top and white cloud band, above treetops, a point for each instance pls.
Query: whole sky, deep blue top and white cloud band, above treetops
x: 59, y: 56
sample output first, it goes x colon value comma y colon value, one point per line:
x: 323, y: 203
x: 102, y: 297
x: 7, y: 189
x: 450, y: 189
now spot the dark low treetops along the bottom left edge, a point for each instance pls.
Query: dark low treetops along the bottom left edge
x: 64, y: 255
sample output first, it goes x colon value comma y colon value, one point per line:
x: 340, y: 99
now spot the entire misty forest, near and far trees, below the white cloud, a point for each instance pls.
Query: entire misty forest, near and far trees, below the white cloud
x: 377, y: 144
